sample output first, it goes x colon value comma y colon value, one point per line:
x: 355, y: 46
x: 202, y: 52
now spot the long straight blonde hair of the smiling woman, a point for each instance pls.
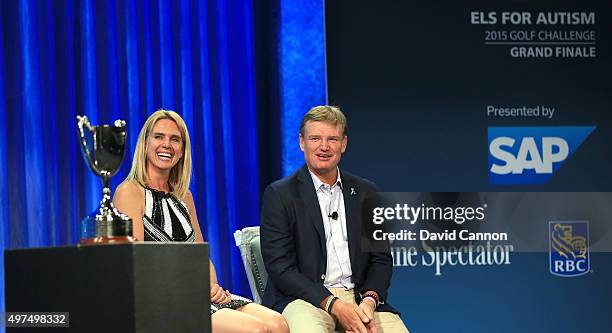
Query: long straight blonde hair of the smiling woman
x: 180, y: 175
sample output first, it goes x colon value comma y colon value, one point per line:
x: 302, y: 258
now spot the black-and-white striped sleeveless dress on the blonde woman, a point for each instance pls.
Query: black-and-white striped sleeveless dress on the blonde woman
x: 166, y: 219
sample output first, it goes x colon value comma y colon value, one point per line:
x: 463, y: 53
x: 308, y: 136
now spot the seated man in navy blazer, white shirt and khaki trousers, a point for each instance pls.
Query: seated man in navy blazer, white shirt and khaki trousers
x: 319, y: 276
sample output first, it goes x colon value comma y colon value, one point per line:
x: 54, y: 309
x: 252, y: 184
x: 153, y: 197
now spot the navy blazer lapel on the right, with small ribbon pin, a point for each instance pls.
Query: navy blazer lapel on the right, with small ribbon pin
x: 353, y: 221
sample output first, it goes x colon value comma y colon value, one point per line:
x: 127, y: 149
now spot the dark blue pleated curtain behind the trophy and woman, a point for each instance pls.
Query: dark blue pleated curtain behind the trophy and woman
x: 125, y: 59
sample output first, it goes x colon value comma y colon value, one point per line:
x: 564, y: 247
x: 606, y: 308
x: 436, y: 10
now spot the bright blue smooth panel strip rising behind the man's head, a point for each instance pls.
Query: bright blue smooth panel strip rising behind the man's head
x: 301, y: 71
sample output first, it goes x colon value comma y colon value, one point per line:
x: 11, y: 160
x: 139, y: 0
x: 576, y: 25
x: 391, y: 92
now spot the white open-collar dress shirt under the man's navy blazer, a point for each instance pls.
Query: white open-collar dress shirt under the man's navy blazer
x: 338, y: 273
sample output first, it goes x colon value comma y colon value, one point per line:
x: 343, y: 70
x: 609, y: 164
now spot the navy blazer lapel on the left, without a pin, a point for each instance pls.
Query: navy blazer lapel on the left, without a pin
x: 311, y: 206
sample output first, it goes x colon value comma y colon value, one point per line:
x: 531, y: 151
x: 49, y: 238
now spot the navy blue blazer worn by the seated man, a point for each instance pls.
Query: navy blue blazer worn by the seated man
x: 293, y: 242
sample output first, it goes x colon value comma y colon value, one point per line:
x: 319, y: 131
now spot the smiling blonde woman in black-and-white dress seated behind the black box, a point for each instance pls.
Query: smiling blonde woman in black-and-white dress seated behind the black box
x: 156, y: 196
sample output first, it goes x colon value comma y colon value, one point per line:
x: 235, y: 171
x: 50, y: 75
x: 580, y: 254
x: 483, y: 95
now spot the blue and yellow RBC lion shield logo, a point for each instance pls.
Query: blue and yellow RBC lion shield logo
x: 569, y: 248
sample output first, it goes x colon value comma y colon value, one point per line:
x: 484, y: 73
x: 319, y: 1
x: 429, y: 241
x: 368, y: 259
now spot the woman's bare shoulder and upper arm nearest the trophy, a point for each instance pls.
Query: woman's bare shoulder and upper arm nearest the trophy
x: 129, y: 200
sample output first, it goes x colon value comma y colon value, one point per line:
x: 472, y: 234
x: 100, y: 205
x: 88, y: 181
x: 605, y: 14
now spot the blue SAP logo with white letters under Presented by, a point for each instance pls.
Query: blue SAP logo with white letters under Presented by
x: 530, y: 155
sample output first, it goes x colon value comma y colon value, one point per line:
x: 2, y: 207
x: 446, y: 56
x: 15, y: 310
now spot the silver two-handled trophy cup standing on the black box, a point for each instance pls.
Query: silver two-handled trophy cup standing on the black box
x: 103, y: 148
